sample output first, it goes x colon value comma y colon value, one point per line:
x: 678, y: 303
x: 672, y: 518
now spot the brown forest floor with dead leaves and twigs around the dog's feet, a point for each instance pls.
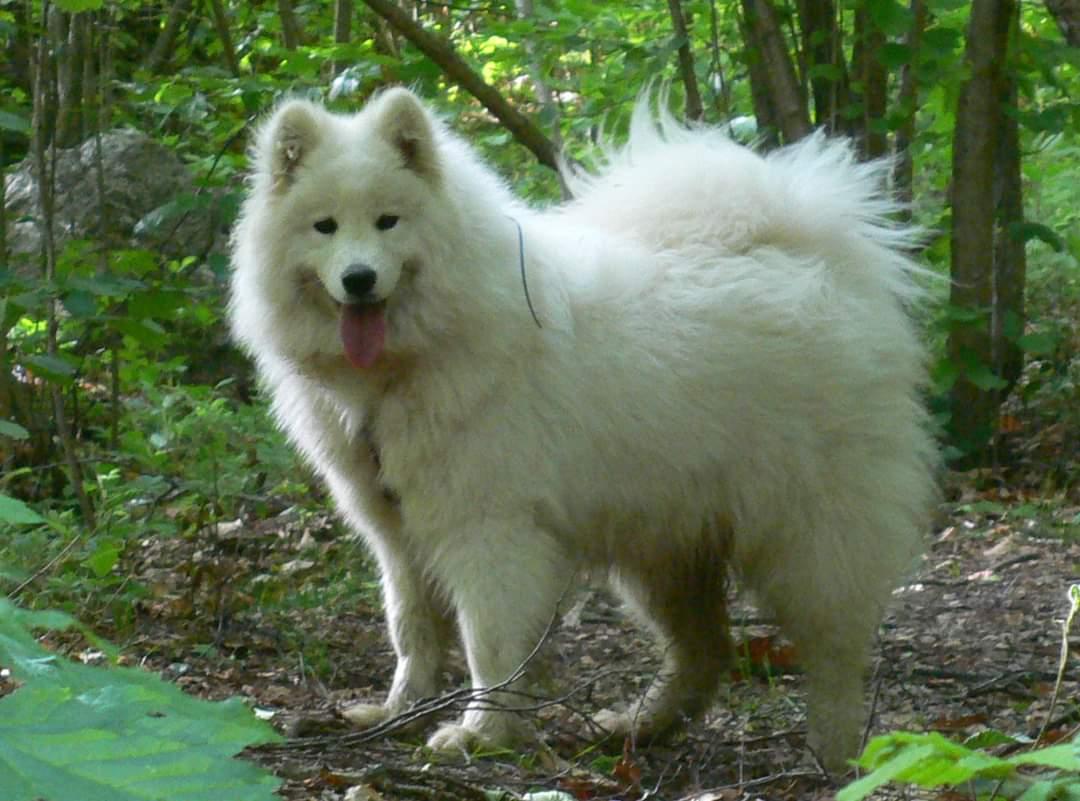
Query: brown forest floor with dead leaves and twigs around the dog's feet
x: 971, y: 643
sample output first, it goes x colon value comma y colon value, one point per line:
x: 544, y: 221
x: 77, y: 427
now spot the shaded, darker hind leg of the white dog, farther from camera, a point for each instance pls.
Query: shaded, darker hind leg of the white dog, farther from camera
x: 684, y: 601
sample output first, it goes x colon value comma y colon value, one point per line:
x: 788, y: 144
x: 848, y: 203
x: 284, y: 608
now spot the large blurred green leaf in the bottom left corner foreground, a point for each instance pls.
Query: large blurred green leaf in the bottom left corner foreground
x: 73, y: 732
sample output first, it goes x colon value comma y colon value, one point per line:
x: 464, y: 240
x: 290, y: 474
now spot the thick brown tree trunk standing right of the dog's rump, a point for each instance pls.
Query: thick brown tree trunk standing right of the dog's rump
x: 976, y: 147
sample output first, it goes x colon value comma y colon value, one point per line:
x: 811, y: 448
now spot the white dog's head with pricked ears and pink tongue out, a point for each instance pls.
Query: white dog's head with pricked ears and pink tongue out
x: 344, y: 213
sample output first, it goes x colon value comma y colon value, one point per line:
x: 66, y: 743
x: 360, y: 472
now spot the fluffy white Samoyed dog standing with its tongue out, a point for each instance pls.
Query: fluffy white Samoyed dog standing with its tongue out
x: 701, y: 366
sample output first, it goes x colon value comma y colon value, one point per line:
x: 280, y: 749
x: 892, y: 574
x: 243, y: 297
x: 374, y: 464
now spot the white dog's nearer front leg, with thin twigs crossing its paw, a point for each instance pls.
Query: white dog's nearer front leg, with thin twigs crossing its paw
x: 506, y: 580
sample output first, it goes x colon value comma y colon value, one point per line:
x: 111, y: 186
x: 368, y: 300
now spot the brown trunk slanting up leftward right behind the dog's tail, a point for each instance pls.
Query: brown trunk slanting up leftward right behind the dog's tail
x: 777, y: 70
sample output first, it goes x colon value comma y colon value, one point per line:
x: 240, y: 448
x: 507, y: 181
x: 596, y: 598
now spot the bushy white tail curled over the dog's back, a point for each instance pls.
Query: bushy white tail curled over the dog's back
x: 813, y: 197
